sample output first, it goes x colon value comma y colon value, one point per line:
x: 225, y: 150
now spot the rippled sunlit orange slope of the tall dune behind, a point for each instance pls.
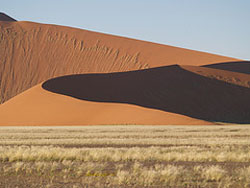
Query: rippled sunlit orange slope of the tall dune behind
x: 31, y: 53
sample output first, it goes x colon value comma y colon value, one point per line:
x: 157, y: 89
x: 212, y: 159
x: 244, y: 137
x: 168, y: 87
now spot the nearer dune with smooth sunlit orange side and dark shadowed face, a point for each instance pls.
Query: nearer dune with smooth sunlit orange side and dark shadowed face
x: 163, y: 95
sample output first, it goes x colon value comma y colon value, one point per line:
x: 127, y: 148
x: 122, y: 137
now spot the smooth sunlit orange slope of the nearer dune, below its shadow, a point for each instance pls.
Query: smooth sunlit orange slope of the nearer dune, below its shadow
x: 38, y: 107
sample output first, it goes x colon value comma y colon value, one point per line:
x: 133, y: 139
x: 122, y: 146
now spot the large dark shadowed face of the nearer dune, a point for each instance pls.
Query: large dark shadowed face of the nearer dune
x: 170, y: 89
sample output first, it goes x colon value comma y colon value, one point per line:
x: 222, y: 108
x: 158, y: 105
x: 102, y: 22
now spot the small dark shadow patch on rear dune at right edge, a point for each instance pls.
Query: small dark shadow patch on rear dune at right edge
x: 237, y: 66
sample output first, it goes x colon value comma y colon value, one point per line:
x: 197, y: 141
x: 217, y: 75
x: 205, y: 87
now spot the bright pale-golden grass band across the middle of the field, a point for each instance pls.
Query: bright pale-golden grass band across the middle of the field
x: 50, y: 153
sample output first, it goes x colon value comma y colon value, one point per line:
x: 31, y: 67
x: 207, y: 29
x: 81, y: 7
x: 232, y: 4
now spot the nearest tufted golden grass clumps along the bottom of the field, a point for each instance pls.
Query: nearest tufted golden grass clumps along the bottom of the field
x: 136, y: 175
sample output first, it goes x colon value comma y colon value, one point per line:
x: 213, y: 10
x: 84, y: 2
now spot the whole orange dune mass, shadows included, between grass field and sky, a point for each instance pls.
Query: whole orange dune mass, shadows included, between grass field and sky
x: 55, y: 75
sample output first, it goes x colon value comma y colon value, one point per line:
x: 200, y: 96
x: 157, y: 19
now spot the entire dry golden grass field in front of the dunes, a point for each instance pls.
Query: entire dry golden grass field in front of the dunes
x: 125, y: 156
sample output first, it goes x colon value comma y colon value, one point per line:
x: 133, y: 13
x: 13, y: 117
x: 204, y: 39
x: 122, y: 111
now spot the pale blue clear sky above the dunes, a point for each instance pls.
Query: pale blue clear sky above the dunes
x: 216, y: 26
